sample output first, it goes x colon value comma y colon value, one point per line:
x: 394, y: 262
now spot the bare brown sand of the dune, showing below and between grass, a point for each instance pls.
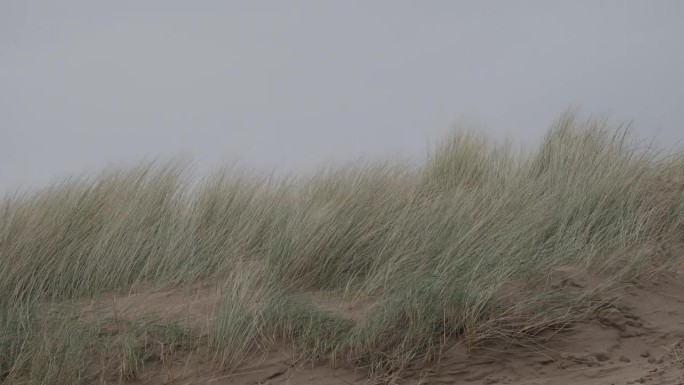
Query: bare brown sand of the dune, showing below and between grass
x: 640, y: 340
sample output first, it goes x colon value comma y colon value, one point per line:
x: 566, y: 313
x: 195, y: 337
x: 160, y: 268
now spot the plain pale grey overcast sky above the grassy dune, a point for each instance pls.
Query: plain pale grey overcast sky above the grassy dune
x: 296, y: 84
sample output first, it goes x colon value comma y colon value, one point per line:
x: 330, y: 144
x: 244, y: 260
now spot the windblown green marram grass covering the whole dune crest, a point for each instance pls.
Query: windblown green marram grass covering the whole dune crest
x: 430, y: 248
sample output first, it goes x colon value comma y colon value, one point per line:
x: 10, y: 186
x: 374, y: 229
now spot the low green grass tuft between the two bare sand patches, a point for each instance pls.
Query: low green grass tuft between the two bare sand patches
x: 257, y: 312
